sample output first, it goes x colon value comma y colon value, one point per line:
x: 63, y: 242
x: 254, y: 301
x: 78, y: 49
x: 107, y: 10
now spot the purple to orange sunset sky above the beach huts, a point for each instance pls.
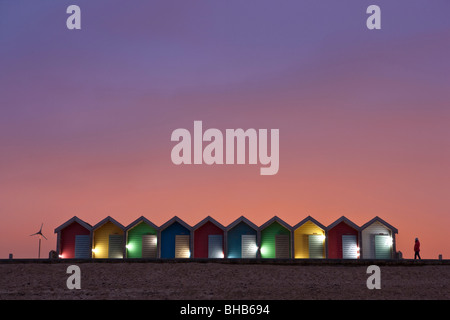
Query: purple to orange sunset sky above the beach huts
x: 86, y: 116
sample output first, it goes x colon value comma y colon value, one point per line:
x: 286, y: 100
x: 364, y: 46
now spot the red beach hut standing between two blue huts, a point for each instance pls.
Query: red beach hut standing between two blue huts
x: 208, y: 237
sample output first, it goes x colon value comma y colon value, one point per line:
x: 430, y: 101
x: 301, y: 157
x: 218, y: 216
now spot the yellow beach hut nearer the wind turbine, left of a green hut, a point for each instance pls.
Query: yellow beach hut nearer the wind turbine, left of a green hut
x: 108, y: 239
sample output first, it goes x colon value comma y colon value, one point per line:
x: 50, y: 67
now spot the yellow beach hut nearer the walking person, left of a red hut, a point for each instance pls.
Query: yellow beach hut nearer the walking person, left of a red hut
x: 309, y: 239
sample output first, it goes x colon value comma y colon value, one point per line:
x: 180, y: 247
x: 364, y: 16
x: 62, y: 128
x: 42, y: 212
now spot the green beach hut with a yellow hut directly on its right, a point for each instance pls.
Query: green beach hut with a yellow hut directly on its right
x: 275, y: 239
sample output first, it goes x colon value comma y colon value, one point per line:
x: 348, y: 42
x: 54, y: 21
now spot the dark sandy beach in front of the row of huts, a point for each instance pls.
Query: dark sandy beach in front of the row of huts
x: 205, y: 281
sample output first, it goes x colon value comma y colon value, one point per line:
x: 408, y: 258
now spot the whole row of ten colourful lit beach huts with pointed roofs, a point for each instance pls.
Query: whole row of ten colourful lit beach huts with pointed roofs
x: 275, y: 239
